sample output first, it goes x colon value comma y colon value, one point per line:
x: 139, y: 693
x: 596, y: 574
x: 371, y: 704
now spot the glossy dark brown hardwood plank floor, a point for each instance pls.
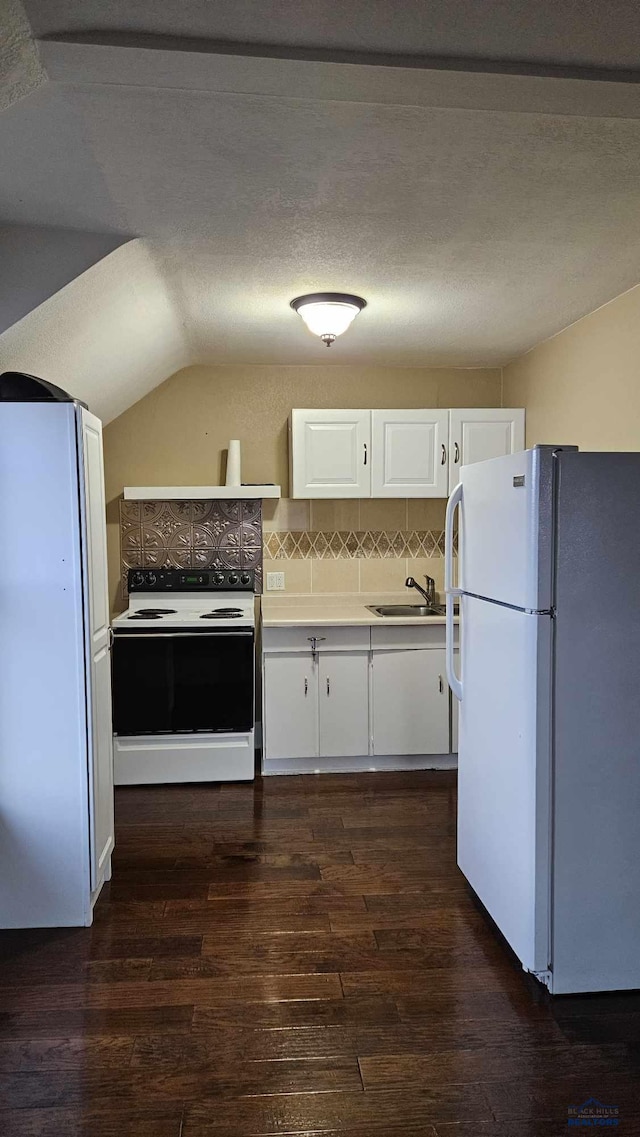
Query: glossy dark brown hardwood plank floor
x: 297, y: 957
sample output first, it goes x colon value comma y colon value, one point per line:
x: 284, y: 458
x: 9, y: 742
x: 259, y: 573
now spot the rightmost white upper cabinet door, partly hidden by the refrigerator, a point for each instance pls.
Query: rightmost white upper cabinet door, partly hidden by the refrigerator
x: 477, y: 434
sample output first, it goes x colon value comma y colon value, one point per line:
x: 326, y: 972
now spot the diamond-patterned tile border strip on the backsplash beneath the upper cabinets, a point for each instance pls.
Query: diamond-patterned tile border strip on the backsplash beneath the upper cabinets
x: 303, y: 545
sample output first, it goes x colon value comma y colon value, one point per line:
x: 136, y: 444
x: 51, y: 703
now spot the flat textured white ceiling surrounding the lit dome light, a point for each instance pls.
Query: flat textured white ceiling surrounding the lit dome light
x: 473, y: 170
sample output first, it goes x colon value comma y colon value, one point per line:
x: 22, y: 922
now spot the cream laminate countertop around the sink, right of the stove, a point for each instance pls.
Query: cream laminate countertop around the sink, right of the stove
x: 336, y: 610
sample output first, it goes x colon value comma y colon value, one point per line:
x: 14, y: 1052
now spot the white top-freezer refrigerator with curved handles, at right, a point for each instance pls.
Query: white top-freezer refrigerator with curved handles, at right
x: 548, y: 683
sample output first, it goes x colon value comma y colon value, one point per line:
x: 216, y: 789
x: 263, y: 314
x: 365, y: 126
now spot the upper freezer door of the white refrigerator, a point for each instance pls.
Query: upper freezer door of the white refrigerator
x: 506, y: 528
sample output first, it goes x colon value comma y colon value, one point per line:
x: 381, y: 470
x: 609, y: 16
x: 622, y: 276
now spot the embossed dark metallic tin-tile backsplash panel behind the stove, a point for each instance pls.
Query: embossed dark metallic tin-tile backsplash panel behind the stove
x: 192, y: 535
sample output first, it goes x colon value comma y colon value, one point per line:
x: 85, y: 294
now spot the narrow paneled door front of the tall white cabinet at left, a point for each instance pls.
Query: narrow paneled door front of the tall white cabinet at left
x: 102, y: 752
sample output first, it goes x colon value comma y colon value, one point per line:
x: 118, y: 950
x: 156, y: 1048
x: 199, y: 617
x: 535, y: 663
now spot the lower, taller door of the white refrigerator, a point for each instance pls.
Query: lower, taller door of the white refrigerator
x: 504, y: 771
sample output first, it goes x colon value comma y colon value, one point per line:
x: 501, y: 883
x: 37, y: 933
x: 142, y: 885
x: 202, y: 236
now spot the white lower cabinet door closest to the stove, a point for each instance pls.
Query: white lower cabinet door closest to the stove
x: 290, y: 707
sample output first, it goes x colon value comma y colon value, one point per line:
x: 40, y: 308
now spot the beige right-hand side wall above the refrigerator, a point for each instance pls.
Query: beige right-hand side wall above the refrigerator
x: 584, y: 386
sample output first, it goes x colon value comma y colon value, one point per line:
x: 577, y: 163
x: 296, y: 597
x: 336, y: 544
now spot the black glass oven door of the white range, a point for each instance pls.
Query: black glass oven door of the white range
x: 170, y: 683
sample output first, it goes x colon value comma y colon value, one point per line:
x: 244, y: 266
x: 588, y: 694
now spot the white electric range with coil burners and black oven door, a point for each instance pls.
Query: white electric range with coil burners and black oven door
x: 184, y: 675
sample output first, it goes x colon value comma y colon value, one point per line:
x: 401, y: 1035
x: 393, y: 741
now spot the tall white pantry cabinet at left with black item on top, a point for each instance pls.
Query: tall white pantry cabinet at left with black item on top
x: 56, y: 753
